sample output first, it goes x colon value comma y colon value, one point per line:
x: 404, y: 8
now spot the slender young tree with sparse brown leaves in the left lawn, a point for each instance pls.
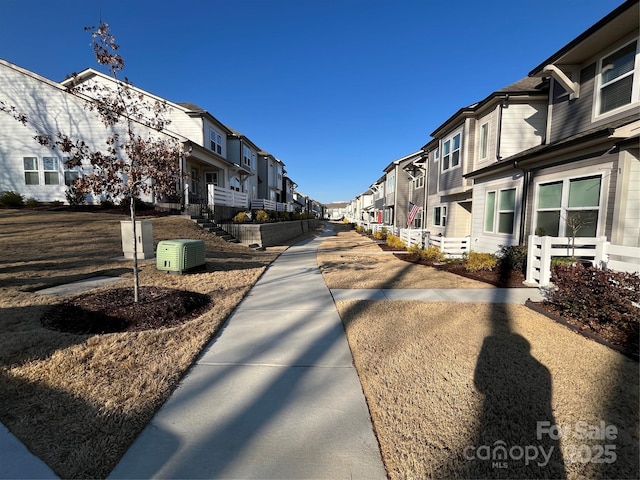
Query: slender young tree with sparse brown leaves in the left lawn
x: 131, y: 164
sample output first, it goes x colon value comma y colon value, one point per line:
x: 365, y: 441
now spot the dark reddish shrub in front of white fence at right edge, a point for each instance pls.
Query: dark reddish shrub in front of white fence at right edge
x: 594, y: 295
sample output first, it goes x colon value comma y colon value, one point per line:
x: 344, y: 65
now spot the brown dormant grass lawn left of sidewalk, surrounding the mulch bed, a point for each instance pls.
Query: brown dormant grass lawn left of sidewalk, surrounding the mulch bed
x: 79, y: 401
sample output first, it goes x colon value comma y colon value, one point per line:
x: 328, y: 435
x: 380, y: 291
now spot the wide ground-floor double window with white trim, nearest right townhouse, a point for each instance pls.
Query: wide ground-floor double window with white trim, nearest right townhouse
x: 569, y: 204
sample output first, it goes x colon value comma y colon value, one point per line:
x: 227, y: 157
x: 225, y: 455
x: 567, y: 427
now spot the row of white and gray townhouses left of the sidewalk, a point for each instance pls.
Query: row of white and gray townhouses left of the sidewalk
x: 222, y: 169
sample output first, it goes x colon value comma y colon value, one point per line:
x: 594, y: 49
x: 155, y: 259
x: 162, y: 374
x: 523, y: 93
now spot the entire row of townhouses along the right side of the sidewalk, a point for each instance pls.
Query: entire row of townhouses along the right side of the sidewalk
x: 555, y: 151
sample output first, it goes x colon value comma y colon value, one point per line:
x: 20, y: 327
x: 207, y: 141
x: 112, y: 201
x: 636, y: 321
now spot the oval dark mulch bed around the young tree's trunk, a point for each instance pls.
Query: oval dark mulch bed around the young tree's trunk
x: 114, y: 310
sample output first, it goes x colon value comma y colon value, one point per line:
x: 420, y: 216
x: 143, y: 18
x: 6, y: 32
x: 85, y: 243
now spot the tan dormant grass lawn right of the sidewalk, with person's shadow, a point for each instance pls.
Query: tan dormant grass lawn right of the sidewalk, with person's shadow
x: 447, y: 383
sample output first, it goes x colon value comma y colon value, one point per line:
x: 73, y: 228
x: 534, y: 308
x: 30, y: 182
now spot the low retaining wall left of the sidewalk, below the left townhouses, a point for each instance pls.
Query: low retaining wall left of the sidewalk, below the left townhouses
x: 269, y: 234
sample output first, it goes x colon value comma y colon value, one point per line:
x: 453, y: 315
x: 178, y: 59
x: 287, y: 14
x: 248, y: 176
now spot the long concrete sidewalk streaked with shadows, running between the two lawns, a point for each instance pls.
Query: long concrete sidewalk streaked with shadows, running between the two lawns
x: 275, y: 395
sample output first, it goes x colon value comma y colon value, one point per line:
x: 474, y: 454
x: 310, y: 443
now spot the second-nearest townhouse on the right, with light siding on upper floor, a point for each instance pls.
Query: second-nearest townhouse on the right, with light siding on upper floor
x: 509, y: 120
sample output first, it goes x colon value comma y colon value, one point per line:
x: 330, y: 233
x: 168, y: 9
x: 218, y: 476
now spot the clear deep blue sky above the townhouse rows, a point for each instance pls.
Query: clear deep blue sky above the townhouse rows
x: 336, y: 89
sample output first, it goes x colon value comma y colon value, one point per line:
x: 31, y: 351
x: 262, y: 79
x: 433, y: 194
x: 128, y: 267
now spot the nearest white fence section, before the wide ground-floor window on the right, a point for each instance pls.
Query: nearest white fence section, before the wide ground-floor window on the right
x: 596, y: 250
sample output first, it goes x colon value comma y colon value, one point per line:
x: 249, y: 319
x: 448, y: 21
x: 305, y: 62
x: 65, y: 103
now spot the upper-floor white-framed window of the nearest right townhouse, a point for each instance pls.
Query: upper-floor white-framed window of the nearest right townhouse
x: 616, y: 80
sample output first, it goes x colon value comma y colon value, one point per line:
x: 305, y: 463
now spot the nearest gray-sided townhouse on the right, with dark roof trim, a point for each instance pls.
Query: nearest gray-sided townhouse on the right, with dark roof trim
x: 588, y: 165
